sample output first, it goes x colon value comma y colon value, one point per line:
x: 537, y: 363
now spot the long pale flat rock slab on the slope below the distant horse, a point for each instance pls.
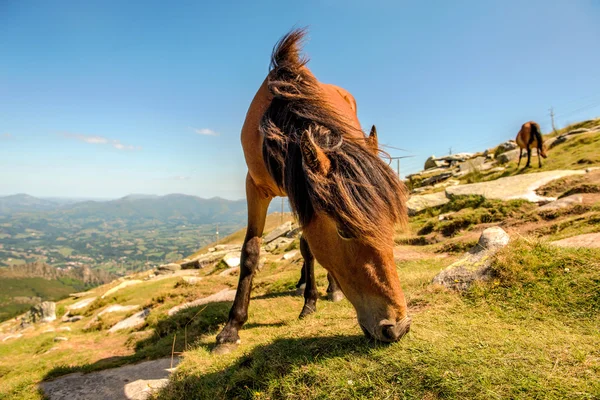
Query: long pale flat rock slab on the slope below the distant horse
x: 512, y: 187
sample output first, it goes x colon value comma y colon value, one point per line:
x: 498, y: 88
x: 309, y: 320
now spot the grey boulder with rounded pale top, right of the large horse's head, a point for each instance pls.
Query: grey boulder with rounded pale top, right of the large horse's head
x: 475, y: 266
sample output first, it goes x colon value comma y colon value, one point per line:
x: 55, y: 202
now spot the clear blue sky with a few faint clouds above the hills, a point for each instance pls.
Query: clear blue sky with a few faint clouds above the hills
x: 100, y: 99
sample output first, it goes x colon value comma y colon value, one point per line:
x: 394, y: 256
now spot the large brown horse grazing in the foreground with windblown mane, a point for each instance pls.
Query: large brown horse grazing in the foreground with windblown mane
x: 302, y: 139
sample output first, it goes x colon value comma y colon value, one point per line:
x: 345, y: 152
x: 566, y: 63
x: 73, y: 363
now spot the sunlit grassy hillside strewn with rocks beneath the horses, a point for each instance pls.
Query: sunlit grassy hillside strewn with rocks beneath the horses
x: 461, y: 263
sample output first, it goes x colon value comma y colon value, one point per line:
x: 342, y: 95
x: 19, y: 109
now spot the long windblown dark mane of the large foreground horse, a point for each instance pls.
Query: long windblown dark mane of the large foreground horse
x: 360, y: 191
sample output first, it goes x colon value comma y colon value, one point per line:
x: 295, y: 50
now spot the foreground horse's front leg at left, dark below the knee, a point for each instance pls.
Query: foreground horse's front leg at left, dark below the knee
x: 257, y: 212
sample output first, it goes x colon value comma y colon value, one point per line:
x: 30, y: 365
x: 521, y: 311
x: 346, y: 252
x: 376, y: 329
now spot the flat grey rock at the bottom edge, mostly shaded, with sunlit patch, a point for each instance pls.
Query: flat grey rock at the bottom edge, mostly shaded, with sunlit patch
x: 137, y: 382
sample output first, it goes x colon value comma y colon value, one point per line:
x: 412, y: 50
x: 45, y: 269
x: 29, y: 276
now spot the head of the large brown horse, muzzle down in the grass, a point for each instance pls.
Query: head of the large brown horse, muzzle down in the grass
x: 352, y: 191
